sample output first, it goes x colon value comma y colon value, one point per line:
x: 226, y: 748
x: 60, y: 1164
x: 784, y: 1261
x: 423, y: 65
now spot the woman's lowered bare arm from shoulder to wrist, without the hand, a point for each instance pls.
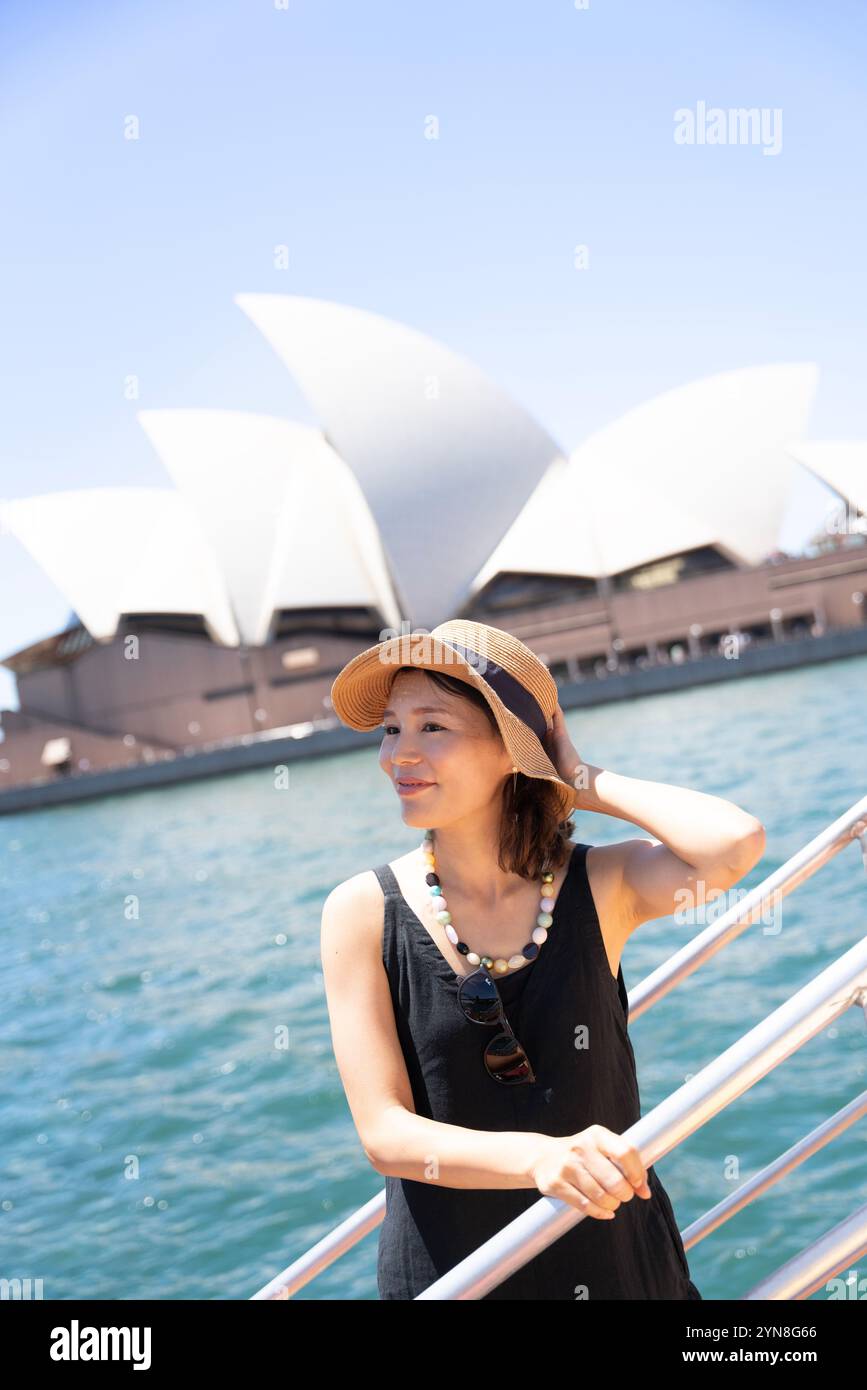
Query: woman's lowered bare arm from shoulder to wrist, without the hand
x: 397, y: 1140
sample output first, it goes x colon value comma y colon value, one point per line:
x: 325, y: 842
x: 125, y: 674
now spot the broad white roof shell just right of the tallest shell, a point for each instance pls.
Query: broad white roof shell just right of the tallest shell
x: 702, y: 465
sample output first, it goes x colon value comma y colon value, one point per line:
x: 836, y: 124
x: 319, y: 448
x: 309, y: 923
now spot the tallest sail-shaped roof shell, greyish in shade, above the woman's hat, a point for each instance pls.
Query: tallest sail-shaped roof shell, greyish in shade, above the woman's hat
x: 445, y: 458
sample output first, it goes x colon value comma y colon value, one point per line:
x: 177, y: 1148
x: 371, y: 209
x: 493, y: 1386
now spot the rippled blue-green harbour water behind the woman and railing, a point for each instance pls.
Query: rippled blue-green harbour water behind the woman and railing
x: 159, y: 1140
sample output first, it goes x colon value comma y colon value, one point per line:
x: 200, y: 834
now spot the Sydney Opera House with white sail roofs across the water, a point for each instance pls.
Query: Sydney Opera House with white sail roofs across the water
x: 215, y: 612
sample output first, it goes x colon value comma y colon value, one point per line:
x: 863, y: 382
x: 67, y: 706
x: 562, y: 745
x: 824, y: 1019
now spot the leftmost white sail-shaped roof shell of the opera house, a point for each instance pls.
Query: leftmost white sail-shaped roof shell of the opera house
x: 115, y: 551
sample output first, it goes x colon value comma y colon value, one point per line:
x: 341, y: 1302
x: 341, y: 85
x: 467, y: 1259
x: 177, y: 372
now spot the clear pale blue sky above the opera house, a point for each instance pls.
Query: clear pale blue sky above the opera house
x: 305, y: 126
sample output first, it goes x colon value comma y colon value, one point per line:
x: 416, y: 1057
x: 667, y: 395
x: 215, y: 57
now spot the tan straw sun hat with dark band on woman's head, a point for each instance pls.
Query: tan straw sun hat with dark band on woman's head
x: 518, y: 686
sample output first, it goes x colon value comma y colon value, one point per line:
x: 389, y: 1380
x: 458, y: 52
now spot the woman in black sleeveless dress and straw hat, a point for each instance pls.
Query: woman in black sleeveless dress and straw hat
x: 476, y: 996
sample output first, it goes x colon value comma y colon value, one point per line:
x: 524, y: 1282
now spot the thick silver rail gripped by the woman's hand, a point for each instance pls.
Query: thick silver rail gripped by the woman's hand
x: 730, y: 1075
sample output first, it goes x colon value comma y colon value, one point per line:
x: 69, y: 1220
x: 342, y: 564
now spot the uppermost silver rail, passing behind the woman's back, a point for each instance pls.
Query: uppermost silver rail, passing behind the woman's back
x: 752, y: 907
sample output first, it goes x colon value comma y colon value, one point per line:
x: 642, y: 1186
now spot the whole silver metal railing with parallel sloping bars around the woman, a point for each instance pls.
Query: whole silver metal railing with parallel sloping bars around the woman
x: 758, y: 1053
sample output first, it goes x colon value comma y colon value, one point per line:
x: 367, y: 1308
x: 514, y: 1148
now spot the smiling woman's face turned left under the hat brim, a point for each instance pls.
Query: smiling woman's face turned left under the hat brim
x: 445, y: 743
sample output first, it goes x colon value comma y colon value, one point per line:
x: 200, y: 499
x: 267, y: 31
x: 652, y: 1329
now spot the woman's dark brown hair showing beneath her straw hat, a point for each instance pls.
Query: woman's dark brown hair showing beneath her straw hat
x: 531, y: 831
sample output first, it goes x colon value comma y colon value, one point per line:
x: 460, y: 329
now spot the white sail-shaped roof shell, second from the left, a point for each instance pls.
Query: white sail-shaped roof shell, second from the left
x: 287, y: 519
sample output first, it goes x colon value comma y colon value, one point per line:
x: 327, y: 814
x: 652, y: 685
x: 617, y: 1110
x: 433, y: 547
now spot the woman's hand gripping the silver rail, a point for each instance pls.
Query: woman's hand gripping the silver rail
x: 587, y: 1171
